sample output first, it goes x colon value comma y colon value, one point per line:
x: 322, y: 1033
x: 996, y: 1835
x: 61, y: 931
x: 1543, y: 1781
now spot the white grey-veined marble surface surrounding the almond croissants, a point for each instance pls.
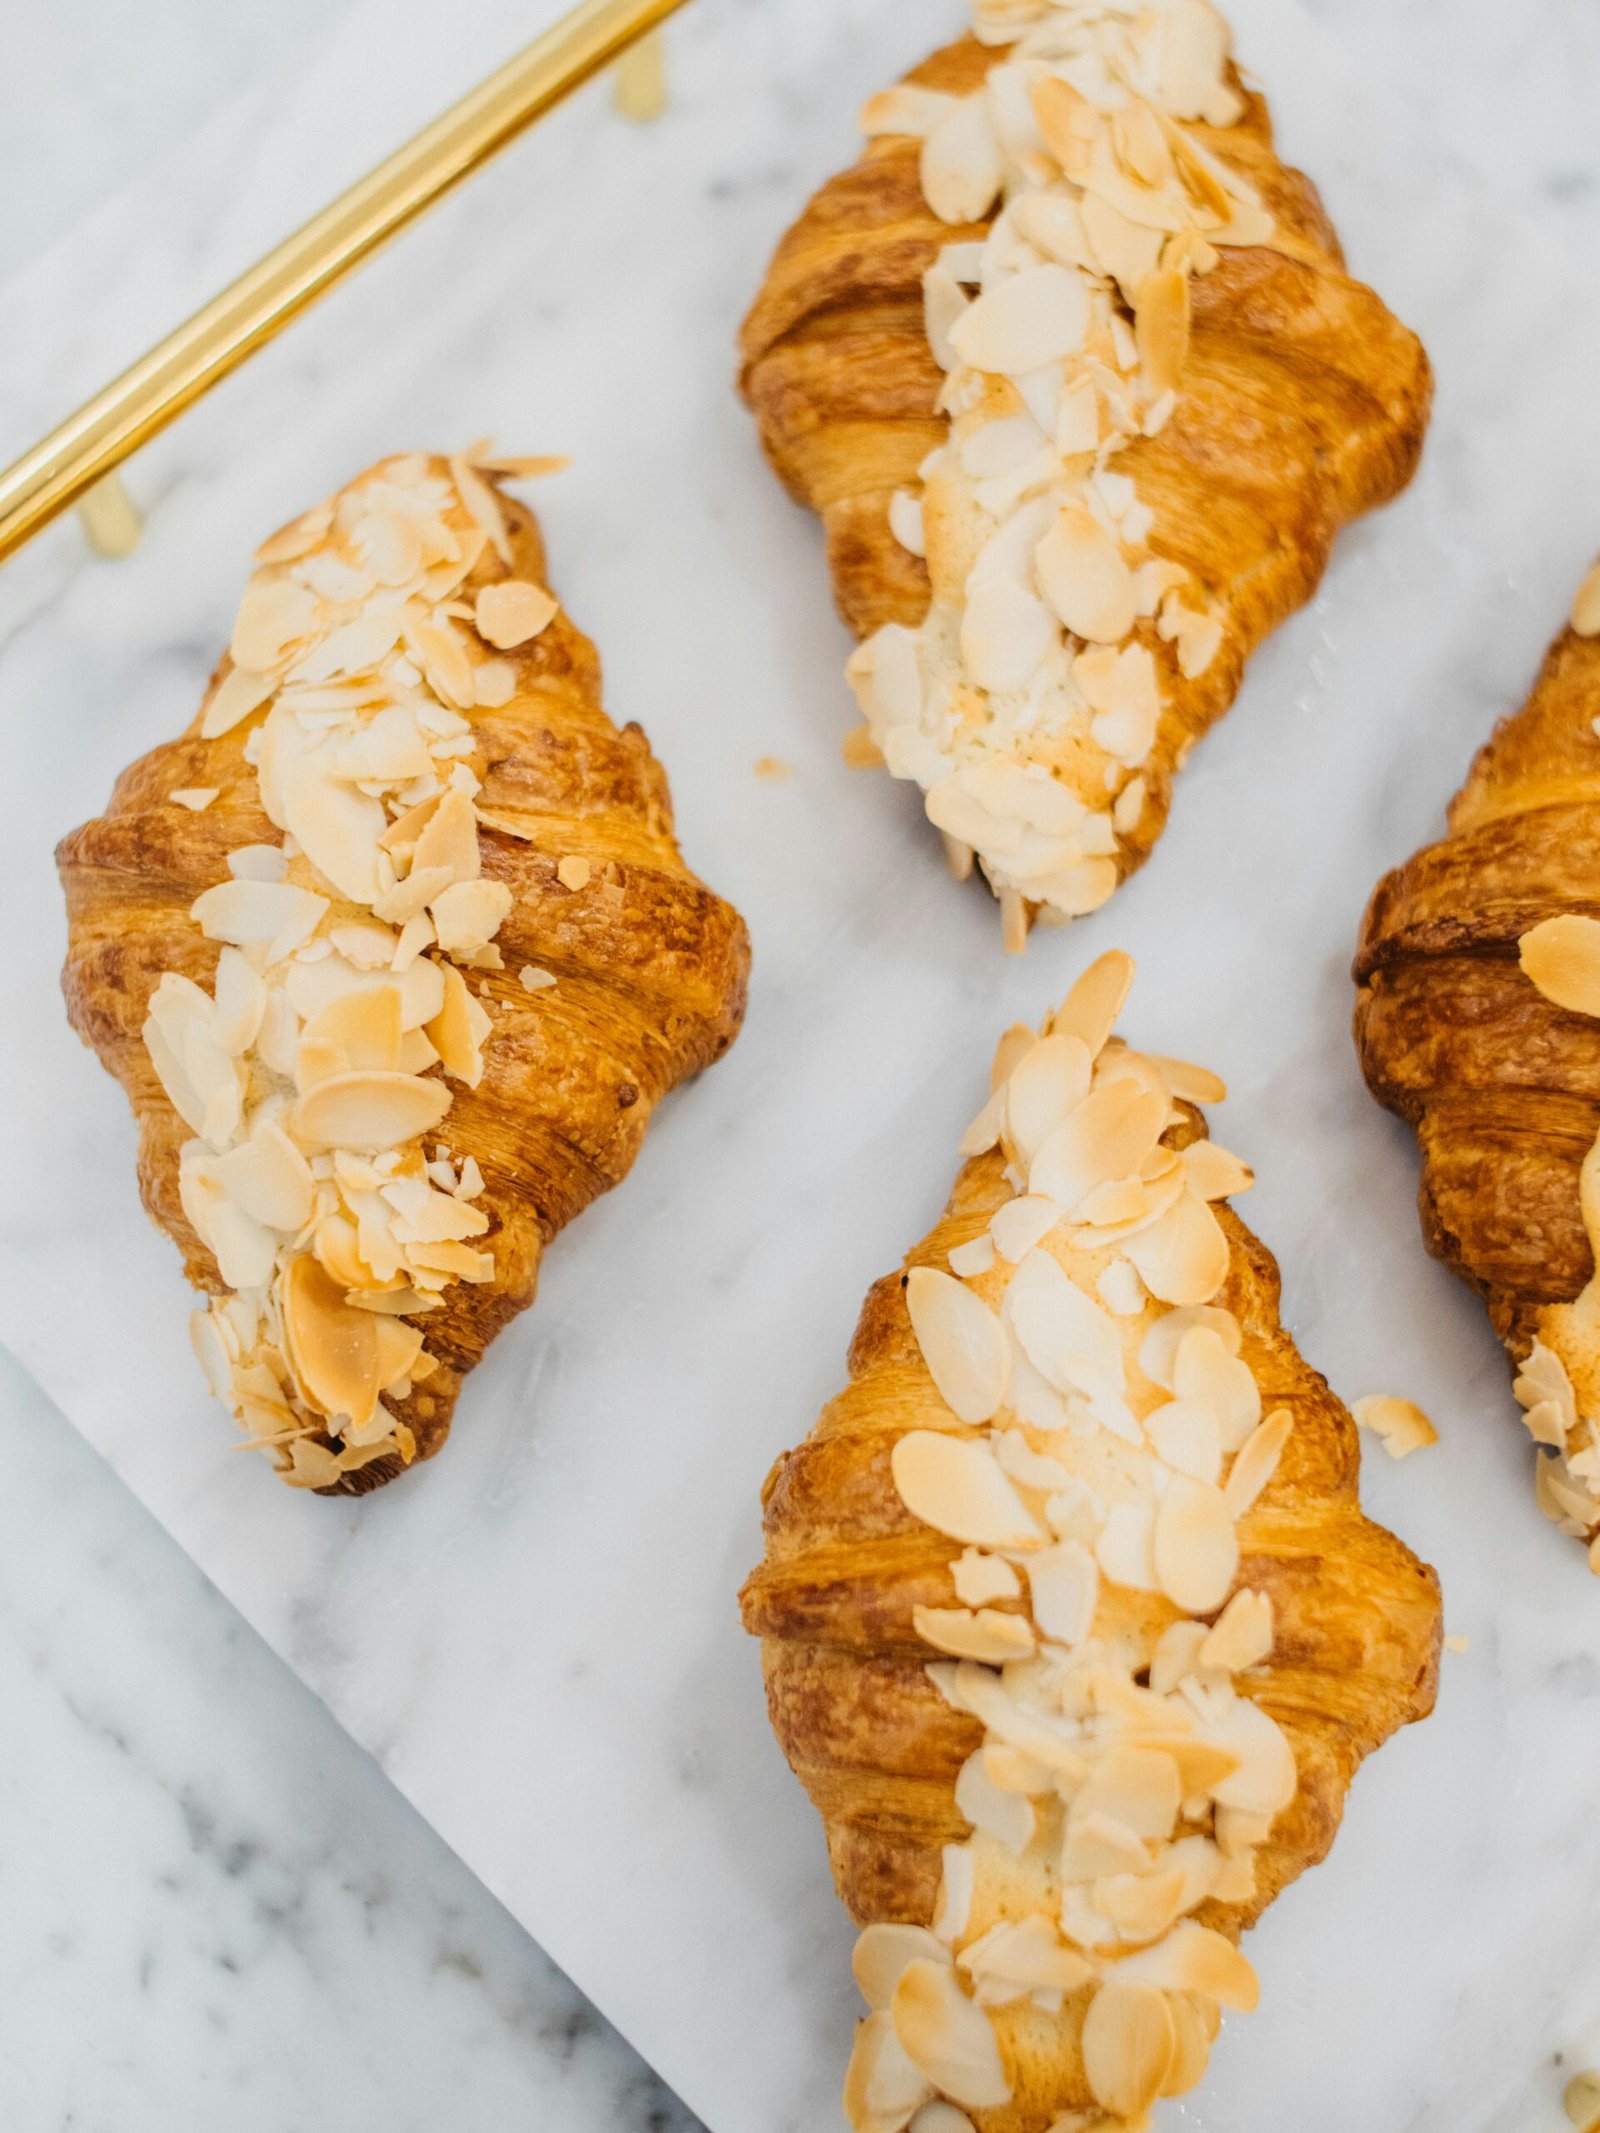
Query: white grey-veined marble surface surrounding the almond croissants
x: 494, y: 1603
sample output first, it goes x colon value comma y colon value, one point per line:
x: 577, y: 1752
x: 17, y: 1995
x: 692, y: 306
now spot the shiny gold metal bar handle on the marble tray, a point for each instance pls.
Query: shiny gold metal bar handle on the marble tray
x: 306, y: 266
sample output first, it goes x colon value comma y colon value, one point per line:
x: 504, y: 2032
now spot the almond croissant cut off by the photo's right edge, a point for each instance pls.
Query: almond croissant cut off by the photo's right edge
x: 1479, y: 1023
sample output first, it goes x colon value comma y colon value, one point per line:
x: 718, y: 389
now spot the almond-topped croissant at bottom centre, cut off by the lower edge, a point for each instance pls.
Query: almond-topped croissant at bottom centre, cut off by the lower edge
x: 1070, y: 1618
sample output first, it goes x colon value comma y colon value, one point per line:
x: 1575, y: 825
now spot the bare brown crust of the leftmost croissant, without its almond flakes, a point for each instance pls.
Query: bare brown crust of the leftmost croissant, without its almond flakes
x: 650, y: 965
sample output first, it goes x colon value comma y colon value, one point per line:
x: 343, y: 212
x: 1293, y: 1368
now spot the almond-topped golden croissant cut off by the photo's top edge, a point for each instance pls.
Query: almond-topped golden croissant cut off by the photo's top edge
x: 1066, y: 511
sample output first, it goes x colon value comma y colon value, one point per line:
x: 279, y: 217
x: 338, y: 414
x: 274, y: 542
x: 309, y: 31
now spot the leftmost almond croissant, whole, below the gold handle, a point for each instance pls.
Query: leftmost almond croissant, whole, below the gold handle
x: 394, y: 955
